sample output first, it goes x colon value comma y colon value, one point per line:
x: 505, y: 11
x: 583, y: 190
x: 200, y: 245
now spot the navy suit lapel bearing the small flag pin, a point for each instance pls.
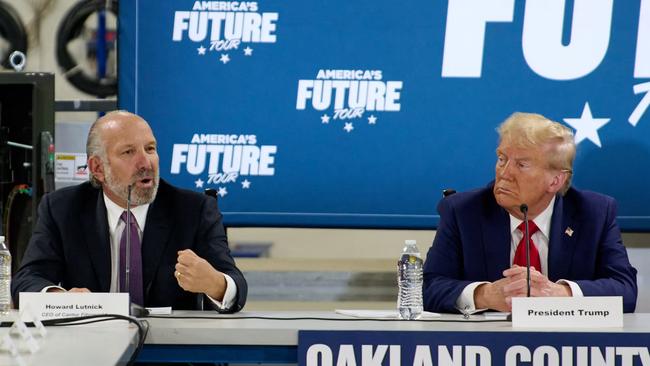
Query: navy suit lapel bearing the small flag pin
x: 562, y: 240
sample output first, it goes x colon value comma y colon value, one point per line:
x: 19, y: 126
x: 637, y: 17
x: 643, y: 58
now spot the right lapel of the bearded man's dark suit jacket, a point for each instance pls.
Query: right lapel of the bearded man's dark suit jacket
x: 156, y: 236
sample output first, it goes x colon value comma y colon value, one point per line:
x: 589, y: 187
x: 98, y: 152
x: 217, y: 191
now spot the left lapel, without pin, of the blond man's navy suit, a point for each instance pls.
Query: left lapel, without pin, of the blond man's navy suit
x: 496, y: 240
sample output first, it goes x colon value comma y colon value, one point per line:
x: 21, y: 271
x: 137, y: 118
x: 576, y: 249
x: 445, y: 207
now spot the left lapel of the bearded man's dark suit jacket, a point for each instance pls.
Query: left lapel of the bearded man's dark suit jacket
x: 96, y: 235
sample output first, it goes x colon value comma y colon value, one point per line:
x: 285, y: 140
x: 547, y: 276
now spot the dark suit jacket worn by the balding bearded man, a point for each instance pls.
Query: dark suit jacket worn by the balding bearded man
x: 70, y: 245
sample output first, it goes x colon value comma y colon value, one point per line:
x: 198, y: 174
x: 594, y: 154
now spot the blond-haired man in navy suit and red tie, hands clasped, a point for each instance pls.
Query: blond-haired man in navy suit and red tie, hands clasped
x: 477, y: 258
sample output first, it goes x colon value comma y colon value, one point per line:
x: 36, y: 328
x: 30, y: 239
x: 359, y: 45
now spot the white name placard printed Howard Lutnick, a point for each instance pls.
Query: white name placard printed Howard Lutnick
x: 49, y: 305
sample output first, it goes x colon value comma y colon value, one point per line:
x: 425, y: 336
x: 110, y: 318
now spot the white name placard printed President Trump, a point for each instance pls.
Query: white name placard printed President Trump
x: 567, y: 312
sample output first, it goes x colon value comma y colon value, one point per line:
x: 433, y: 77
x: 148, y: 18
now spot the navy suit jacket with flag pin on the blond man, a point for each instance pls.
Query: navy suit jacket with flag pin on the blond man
x: 473, y: 244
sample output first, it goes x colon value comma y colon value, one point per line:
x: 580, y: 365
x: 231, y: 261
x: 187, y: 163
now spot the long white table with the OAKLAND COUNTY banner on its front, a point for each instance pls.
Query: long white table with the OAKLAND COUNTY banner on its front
x: 229, y: 338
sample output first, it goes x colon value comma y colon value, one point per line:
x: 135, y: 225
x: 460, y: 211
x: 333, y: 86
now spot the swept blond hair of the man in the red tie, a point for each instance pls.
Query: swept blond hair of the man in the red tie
x: 526, y: 130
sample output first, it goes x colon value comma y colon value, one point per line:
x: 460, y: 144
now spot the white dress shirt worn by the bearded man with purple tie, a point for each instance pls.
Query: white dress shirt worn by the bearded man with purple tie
x: 116, y: 227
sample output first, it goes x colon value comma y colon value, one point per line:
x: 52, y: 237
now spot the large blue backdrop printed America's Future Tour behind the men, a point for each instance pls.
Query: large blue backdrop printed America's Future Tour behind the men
x: 358, y: 113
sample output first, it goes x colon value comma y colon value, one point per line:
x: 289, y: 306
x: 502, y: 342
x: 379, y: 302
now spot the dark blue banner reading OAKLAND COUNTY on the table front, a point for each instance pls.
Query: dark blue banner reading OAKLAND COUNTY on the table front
x: 424, y: 348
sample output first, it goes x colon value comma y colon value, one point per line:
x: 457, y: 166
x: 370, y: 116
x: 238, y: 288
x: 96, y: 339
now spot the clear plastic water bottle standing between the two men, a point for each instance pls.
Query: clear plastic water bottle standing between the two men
x: 409, y: 280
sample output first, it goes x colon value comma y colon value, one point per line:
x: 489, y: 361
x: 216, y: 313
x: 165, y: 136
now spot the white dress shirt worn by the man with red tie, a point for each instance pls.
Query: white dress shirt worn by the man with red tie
x: 540, y: 240
